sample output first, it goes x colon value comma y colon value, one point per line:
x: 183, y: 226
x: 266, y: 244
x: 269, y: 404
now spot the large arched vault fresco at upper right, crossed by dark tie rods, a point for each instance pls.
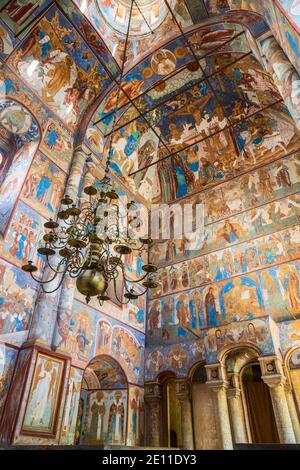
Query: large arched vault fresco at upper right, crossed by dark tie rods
x: 229, y: 119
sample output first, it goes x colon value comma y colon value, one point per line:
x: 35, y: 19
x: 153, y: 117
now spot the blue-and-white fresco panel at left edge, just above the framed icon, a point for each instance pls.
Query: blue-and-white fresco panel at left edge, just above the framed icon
x: 17, y: 298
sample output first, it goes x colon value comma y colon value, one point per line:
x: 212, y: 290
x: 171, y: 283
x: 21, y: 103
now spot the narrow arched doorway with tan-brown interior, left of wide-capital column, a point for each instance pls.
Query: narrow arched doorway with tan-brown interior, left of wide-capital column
x: 204, y: 419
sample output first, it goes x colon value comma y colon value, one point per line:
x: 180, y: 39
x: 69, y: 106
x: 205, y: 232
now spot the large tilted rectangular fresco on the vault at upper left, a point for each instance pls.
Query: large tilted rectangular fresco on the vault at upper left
x: 67, y: 79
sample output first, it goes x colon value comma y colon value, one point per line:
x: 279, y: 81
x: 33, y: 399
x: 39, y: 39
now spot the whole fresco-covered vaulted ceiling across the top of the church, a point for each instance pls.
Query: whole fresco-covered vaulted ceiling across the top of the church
x: 194, y: 104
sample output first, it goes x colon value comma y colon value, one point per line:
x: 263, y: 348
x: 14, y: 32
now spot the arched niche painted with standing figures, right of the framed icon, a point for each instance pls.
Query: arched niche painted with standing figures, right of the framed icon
x: 102, y: 417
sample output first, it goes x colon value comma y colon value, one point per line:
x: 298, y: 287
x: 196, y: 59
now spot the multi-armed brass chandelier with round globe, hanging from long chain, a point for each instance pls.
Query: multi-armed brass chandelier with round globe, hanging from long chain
x: 90, y: 243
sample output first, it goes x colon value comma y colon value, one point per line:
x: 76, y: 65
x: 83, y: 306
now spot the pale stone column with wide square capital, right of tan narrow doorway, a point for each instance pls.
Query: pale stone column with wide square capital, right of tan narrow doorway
x: 216, y: 374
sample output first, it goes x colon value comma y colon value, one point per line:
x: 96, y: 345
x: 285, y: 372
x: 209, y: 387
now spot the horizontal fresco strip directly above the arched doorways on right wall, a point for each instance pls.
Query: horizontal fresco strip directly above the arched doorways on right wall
x: 205, y: 346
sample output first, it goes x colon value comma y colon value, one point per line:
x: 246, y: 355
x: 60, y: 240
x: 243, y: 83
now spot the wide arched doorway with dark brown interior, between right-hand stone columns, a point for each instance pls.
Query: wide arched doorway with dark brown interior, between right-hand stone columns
x: 258, y: 403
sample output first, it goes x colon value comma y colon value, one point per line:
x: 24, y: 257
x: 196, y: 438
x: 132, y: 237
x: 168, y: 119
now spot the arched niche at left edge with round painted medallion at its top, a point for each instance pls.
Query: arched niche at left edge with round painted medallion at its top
x: 19, y: 140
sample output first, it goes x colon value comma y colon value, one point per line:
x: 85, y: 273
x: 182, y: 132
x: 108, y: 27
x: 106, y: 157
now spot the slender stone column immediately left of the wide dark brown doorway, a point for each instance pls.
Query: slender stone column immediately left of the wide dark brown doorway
x: 236, y: 411
